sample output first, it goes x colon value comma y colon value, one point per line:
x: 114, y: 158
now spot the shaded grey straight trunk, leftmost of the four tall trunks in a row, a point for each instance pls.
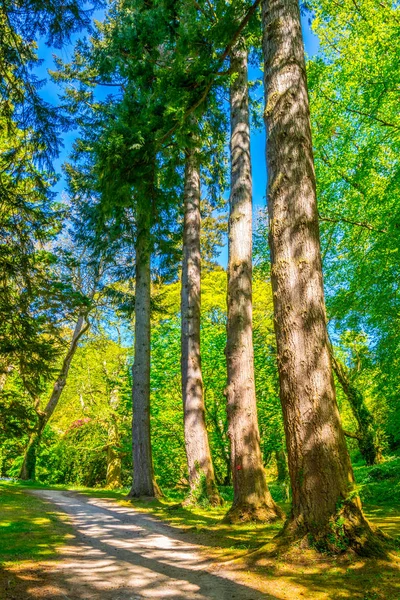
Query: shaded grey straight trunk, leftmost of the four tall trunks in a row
x: 143, y: 478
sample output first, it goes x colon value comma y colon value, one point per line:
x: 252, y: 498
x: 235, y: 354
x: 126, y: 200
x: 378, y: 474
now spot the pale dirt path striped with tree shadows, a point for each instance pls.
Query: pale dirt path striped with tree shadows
x: 122, y: 554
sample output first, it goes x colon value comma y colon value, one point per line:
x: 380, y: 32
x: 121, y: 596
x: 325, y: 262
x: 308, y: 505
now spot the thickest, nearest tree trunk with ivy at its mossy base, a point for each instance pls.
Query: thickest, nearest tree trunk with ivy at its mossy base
x: 319, y: 464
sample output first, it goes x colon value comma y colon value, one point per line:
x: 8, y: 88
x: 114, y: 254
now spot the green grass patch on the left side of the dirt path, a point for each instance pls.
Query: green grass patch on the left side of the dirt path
x: 29, y: 528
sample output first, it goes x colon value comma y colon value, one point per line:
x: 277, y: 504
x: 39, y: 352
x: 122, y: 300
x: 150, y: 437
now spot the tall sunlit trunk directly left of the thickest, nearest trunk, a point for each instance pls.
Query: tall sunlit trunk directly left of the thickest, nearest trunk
x: 252, y: 499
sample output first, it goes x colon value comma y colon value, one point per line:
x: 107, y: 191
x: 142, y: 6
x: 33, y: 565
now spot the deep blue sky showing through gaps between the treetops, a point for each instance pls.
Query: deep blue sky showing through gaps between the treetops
x: 50, y: 92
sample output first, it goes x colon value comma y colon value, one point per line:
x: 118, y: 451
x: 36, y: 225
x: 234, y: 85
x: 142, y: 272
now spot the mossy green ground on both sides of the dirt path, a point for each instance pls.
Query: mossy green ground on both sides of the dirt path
x: 243, y: 548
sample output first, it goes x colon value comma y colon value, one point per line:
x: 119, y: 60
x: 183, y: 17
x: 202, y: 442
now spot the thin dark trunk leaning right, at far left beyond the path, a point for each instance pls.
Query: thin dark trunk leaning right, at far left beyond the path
x: 28, y: 469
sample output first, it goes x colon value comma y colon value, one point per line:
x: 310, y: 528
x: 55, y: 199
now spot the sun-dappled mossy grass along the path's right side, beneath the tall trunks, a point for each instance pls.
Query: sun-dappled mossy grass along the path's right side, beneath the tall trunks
x: 302, y: 575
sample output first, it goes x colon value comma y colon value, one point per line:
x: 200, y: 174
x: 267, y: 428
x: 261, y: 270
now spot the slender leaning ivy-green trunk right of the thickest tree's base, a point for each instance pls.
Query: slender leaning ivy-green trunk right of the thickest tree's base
x: 367, y: 437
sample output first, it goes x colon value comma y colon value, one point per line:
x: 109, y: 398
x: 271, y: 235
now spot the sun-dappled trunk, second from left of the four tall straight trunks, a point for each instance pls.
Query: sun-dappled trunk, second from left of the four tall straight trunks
x: 201, y: 471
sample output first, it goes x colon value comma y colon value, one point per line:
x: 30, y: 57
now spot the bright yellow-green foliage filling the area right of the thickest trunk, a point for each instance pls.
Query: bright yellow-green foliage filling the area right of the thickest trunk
x: 353, y: 85
